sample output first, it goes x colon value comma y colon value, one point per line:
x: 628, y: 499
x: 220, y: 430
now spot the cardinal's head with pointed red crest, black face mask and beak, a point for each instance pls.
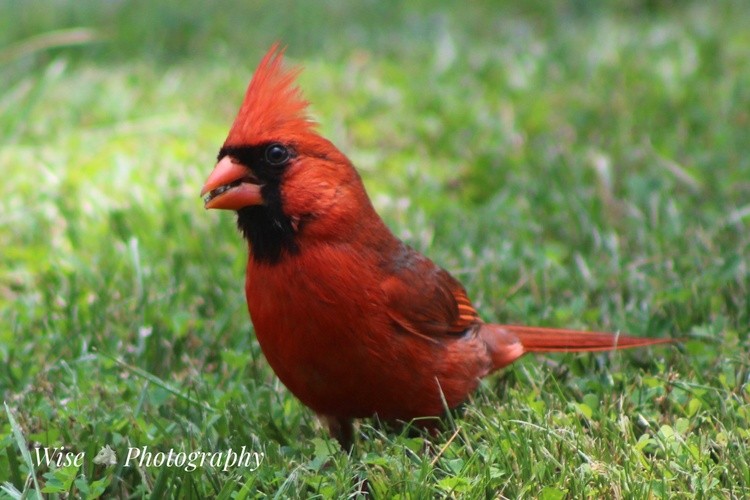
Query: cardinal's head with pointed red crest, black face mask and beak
x: 278, y: 173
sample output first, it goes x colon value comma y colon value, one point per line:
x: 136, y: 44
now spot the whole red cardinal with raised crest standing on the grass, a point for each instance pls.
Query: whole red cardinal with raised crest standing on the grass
x: 352, y: 320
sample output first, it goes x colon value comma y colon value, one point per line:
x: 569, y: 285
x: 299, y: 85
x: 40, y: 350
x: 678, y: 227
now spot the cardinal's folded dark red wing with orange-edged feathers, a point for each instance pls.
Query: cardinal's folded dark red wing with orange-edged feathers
x: 425, y: 300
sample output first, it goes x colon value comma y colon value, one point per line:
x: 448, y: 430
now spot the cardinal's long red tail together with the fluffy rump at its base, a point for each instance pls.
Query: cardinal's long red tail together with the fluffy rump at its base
x: 509, y: 342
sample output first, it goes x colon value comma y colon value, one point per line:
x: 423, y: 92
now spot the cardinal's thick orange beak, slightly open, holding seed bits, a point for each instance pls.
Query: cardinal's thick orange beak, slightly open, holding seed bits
x: 231, y: 186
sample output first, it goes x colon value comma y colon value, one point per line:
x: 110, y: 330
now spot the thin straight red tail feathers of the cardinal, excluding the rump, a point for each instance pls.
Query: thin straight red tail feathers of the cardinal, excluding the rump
x: 538, y: 339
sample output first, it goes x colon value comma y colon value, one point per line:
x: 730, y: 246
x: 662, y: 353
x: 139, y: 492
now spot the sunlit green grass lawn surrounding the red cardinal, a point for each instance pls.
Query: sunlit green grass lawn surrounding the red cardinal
x: 574, y: 164
